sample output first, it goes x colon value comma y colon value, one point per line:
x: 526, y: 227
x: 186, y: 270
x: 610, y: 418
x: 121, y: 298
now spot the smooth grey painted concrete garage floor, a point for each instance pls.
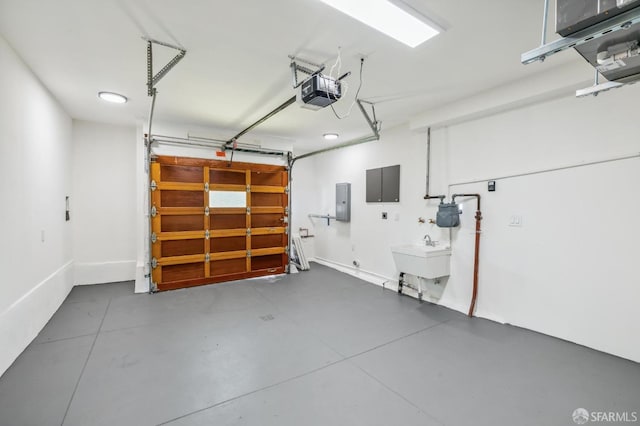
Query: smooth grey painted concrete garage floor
x: 314, y: 348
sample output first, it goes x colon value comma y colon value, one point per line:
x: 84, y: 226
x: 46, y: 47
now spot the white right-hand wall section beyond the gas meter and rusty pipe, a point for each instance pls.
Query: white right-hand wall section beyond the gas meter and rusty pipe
x: 569, y: 271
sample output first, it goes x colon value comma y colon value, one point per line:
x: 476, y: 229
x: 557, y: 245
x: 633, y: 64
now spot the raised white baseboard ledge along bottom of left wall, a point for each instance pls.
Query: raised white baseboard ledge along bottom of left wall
x: 21, y: 322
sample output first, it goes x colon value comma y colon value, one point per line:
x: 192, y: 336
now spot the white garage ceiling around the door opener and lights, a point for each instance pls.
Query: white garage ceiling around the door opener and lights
x: 236, y: 68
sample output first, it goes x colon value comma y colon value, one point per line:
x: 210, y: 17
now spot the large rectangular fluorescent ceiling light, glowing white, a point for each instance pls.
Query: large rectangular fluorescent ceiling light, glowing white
x: 391, y: 17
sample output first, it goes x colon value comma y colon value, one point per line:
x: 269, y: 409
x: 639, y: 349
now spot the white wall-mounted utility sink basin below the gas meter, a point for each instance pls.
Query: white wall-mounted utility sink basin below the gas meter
x: 422, y: 260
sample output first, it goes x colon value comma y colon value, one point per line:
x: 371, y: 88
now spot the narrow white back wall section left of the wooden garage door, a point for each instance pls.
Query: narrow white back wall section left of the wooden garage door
x: 104, y: 204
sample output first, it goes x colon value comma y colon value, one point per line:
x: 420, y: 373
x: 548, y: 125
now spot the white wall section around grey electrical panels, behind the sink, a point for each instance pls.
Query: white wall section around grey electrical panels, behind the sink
x: 367, y: 238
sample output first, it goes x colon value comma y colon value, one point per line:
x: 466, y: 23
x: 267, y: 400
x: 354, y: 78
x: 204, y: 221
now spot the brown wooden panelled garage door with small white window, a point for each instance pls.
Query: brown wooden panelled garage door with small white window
x: 213, y: 222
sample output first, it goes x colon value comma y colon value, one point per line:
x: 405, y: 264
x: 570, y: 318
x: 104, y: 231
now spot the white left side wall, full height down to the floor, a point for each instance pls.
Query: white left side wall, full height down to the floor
x: 35, y: 148
